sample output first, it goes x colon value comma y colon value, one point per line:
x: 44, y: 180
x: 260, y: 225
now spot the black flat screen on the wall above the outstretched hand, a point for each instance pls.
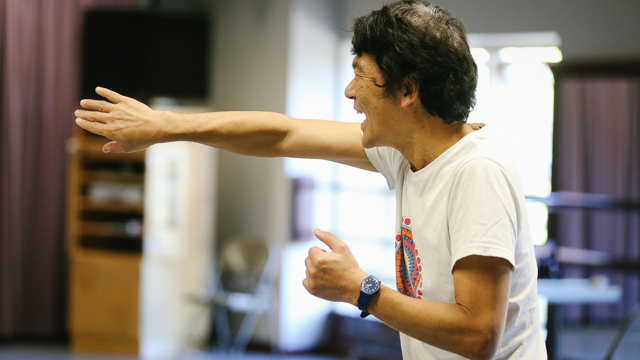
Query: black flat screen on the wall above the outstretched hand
x: 145, y: 54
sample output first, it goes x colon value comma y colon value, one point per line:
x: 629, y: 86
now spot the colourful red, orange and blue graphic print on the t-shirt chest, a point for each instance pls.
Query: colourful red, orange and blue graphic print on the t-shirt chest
x: 408, y: 264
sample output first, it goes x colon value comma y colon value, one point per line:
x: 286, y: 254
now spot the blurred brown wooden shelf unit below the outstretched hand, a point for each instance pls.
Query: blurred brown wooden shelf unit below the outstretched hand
x: 104, y: 243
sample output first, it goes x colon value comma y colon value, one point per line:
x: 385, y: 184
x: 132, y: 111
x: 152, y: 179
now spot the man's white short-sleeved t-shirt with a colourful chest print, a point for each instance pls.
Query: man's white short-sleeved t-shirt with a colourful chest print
x: 468, y: 201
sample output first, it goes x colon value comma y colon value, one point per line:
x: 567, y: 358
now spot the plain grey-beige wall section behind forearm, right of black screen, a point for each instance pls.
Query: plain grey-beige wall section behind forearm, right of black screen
x: 250, y: 73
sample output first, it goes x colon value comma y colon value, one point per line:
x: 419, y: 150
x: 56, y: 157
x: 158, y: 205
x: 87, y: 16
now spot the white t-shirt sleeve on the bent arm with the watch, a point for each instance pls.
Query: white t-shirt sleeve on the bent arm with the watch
x: 483, y: 212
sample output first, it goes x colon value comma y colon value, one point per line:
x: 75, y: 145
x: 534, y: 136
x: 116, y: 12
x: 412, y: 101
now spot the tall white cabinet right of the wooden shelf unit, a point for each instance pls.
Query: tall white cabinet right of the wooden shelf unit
x: 178, y: 247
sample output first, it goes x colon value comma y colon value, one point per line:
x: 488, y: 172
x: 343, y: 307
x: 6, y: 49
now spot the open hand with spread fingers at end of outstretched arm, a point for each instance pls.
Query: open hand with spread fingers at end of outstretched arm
x: 131, y: 124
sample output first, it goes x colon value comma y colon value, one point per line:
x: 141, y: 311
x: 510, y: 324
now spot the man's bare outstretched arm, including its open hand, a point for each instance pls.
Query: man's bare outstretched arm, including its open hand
x: 134, y: 126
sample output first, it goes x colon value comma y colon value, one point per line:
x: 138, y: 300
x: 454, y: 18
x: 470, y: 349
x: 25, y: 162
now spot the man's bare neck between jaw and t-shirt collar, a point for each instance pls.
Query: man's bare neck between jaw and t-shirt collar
x: 426, y: 140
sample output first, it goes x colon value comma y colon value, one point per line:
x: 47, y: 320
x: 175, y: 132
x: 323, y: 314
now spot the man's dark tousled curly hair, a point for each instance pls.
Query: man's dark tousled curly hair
x: 413, y: 40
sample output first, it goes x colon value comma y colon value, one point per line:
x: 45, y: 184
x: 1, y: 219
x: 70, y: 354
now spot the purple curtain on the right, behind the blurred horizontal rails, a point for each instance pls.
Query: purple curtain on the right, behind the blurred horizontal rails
x: 597, y: 150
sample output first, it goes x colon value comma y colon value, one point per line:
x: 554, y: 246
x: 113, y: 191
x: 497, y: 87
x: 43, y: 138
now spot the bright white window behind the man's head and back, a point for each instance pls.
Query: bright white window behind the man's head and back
x: 515, y: 99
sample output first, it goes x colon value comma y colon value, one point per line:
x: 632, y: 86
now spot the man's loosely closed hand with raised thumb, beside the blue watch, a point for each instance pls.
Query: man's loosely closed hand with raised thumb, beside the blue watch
x: 335, y: 275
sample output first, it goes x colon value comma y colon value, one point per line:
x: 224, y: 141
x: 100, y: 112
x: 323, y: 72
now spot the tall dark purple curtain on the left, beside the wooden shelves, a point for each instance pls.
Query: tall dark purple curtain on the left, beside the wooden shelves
x: 39, y: 82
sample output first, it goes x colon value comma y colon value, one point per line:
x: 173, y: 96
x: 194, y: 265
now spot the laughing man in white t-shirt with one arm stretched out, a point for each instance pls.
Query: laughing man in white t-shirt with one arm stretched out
x: 466, y: 271
